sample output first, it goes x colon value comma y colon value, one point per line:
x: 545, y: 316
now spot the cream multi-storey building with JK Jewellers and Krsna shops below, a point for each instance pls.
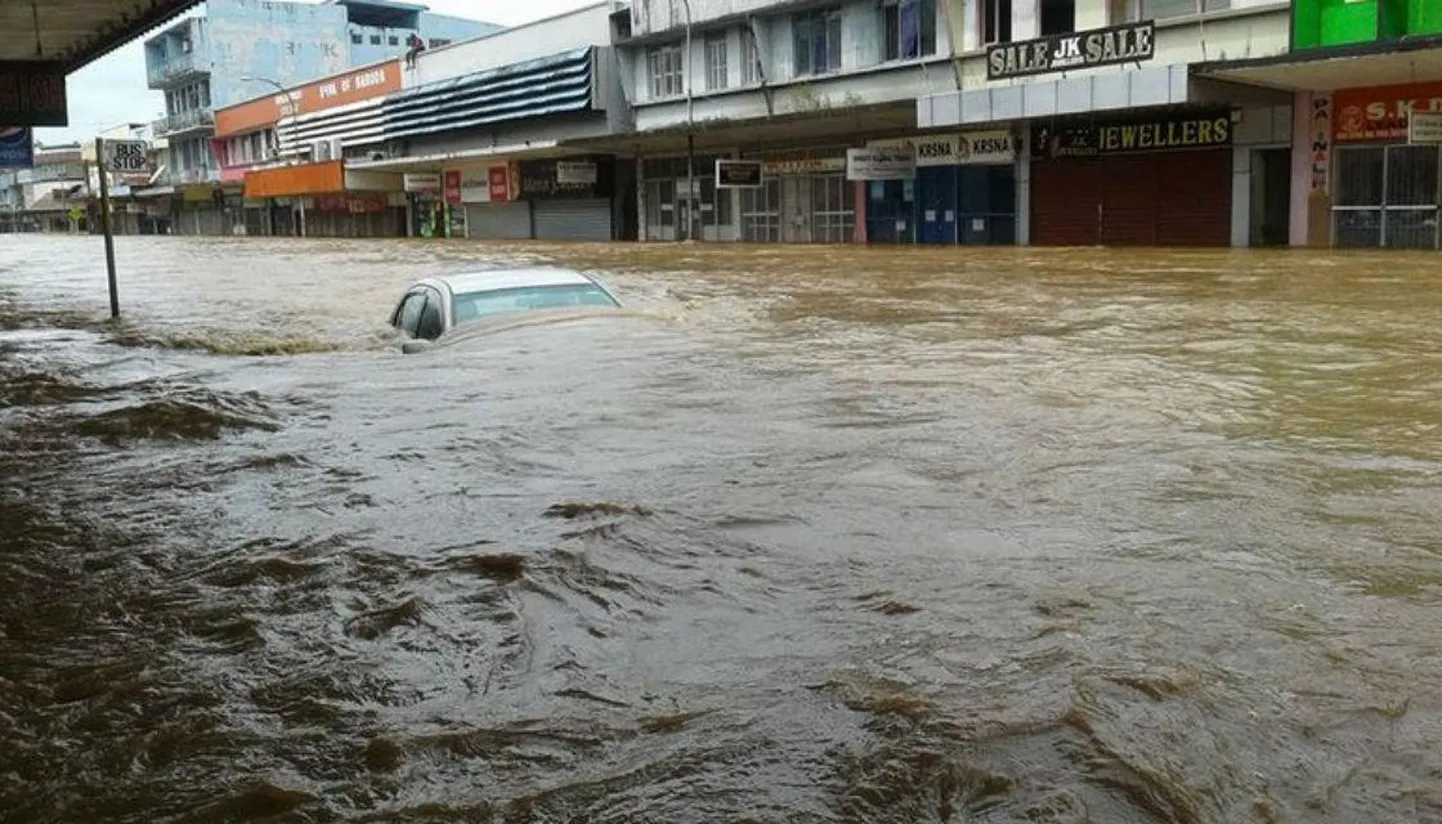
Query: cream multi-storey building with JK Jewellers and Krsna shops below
x: 1048, y: 122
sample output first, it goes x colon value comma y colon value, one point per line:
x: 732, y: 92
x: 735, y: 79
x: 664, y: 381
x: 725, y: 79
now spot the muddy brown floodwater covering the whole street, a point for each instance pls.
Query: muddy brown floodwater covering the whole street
x: 811, y: 535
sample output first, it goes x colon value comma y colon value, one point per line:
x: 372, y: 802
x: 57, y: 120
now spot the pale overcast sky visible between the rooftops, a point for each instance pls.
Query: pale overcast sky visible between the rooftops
x: 112, y: 92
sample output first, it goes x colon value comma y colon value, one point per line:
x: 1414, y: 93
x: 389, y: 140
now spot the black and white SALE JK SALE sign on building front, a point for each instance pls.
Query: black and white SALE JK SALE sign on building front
x: 1130, y: 44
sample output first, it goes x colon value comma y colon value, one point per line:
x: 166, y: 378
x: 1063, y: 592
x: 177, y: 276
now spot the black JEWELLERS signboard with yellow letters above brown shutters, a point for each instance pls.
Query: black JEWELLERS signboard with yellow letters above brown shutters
x: 1162, y: 133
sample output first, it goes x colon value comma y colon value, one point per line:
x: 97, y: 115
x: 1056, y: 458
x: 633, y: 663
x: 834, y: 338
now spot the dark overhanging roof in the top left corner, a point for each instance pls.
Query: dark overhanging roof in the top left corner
x: 76, y: 32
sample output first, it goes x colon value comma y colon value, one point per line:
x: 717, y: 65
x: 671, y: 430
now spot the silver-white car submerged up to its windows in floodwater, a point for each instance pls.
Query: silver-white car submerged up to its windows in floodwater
x: 433, y: 307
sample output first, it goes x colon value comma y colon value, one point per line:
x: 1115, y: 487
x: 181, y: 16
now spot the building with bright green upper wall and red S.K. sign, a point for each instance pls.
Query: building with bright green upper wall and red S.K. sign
x: 1368, y: 83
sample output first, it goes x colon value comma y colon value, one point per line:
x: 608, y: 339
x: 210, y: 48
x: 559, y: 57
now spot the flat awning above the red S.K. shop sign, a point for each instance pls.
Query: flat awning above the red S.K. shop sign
x: 1329, y: 70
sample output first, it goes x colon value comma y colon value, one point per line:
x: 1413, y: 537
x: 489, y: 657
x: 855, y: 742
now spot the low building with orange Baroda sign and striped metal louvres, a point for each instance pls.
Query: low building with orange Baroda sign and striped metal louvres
x: 472, y: 141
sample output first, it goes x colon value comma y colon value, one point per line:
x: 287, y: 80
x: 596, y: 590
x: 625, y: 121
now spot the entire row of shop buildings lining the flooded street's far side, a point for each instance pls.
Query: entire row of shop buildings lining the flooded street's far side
x: 902, y: 122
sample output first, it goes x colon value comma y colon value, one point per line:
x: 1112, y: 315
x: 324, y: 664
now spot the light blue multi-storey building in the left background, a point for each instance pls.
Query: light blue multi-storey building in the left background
x: 240, y: 50
